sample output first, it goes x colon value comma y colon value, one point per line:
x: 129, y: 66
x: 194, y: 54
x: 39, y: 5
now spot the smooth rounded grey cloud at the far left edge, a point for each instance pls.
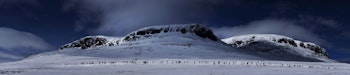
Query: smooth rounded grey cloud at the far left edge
x: 17, y: 40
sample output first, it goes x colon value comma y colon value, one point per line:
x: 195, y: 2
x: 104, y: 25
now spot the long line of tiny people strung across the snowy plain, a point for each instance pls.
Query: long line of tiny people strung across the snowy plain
x: 244, y: 63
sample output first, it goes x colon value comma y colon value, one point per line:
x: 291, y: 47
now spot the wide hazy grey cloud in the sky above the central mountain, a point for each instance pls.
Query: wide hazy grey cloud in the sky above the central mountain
x: 120, y: 17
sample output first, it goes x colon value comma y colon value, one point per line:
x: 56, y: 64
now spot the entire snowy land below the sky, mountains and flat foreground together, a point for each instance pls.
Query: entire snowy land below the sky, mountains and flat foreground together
x: 180, y: 49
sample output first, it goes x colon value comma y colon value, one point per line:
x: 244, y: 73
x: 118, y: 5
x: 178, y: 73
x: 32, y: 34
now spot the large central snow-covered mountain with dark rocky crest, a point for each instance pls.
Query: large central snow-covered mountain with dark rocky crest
x: 169, y: 41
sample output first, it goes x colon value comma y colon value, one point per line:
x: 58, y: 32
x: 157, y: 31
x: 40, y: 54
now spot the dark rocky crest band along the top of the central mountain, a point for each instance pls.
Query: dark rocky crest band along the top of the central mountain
x: 96, y: 41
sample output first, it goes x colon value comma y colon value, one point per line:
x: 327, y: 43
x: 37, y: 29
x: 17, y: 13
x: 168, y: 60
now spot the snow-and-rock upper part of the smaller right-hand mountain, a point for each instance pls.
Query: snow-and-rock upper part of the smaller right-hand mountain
x: 265, y: 43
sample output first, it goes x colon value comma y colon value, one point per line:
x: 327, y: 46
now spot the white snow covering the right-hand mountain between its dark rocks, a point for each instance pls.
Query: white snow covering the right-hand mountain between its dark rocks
x: 272, y: 39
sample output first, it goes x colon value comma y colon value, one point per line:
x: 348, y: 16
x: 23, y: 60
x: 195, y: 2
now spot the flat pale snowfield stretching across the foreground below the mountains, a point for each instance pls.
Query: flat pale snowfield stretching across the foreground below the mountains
x: 78, y: 65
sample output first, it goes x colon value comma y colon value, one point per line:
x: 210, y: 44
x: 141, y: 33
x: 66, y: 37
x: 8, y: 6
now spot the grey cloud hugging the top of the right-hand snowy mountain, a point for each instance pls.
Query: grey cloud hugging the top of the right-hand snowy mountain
x: 271, y: 26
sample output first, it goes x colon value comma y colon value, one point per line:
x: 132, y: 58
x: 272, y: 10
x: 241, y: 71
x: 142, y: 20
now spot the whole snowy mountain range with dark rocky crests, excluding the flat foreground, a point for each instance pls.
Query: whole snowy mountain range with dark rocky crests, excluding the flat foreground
x: 196, y: 41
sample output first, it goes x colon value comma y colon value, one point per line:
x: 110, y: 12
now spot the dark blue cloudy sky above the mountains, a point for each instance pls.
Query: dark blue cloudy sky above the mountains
x: 62, y: 21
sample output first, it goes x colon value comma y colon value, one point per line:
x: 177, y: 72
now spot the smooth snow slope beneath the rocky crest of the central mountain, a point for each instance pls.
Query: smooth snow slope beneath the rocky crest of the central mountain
x: 170, y: 45
